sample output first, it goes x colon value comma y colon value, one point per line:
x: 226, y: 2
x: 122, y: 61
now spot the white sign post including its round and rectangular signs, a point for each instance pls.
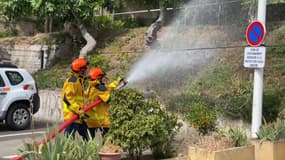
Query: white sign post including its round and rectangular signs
x: 255, y: 58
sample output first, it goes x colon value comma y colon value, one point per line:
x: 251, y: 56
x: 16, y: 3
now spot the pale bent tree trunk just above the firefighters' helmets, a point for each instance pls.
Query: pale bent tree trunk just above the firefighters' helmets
x: 90, y: 41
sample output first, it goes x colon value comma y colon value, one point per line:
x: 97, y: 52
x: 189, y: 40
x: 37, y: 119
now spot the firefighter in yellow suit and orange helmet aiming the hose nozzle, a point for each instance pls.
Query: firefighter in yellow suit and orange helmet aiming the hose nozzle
x: 99, y: 117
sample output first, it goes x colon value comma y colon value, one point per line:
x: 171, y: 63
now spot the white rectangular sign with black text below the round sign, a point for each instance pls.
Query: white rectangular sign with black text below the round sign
x: 254, y: 57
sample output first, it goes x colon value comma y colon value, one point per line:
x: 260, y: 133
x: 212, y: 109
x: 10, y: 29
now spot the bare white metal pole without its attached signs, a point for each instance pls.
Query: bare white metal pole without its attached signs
x: 258, y: 81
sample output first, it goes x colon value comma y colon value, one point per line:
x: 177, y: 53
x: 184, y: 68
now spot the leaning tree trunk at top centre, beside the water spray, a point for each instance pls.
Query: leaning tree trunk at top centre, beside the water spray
x: 151, y: 33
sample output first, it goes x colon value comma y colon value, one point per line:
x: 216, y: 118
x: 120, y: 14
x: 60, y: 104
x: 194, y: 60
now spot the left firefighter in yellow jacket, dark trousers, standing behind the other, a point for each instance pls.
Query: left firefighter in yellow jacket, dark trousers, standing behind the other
x: 73, y: 97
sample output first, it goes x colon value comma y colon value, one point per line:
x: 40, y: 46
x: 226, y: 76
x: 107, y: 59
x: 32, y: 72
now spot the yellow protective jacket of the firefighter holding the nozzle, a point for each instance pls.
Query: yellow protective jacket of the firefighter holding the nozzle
x: 99, y: 116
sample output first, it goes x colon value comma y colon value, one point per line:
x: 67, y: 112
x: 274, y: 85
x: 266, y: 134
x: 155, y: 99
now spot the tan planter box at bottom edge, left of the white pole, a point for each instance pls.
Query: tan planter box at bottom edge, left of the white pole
x: 236, y: 153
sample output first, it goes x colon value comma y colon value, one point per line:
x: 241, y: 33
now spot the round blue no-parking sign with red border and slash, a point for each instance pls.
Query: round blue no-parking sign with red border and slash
x: 255, y: 33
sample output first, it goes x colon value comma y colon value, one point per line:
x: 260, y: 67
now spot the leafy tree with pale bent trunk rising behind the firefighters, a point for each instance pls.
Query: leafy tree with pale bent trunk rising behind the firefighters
x: 78, y: 11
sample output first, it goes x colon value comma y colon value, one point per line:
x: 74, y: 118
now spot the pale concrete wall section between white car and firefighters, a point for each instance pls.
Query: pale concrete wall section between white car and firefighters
x: 50, y: 109
